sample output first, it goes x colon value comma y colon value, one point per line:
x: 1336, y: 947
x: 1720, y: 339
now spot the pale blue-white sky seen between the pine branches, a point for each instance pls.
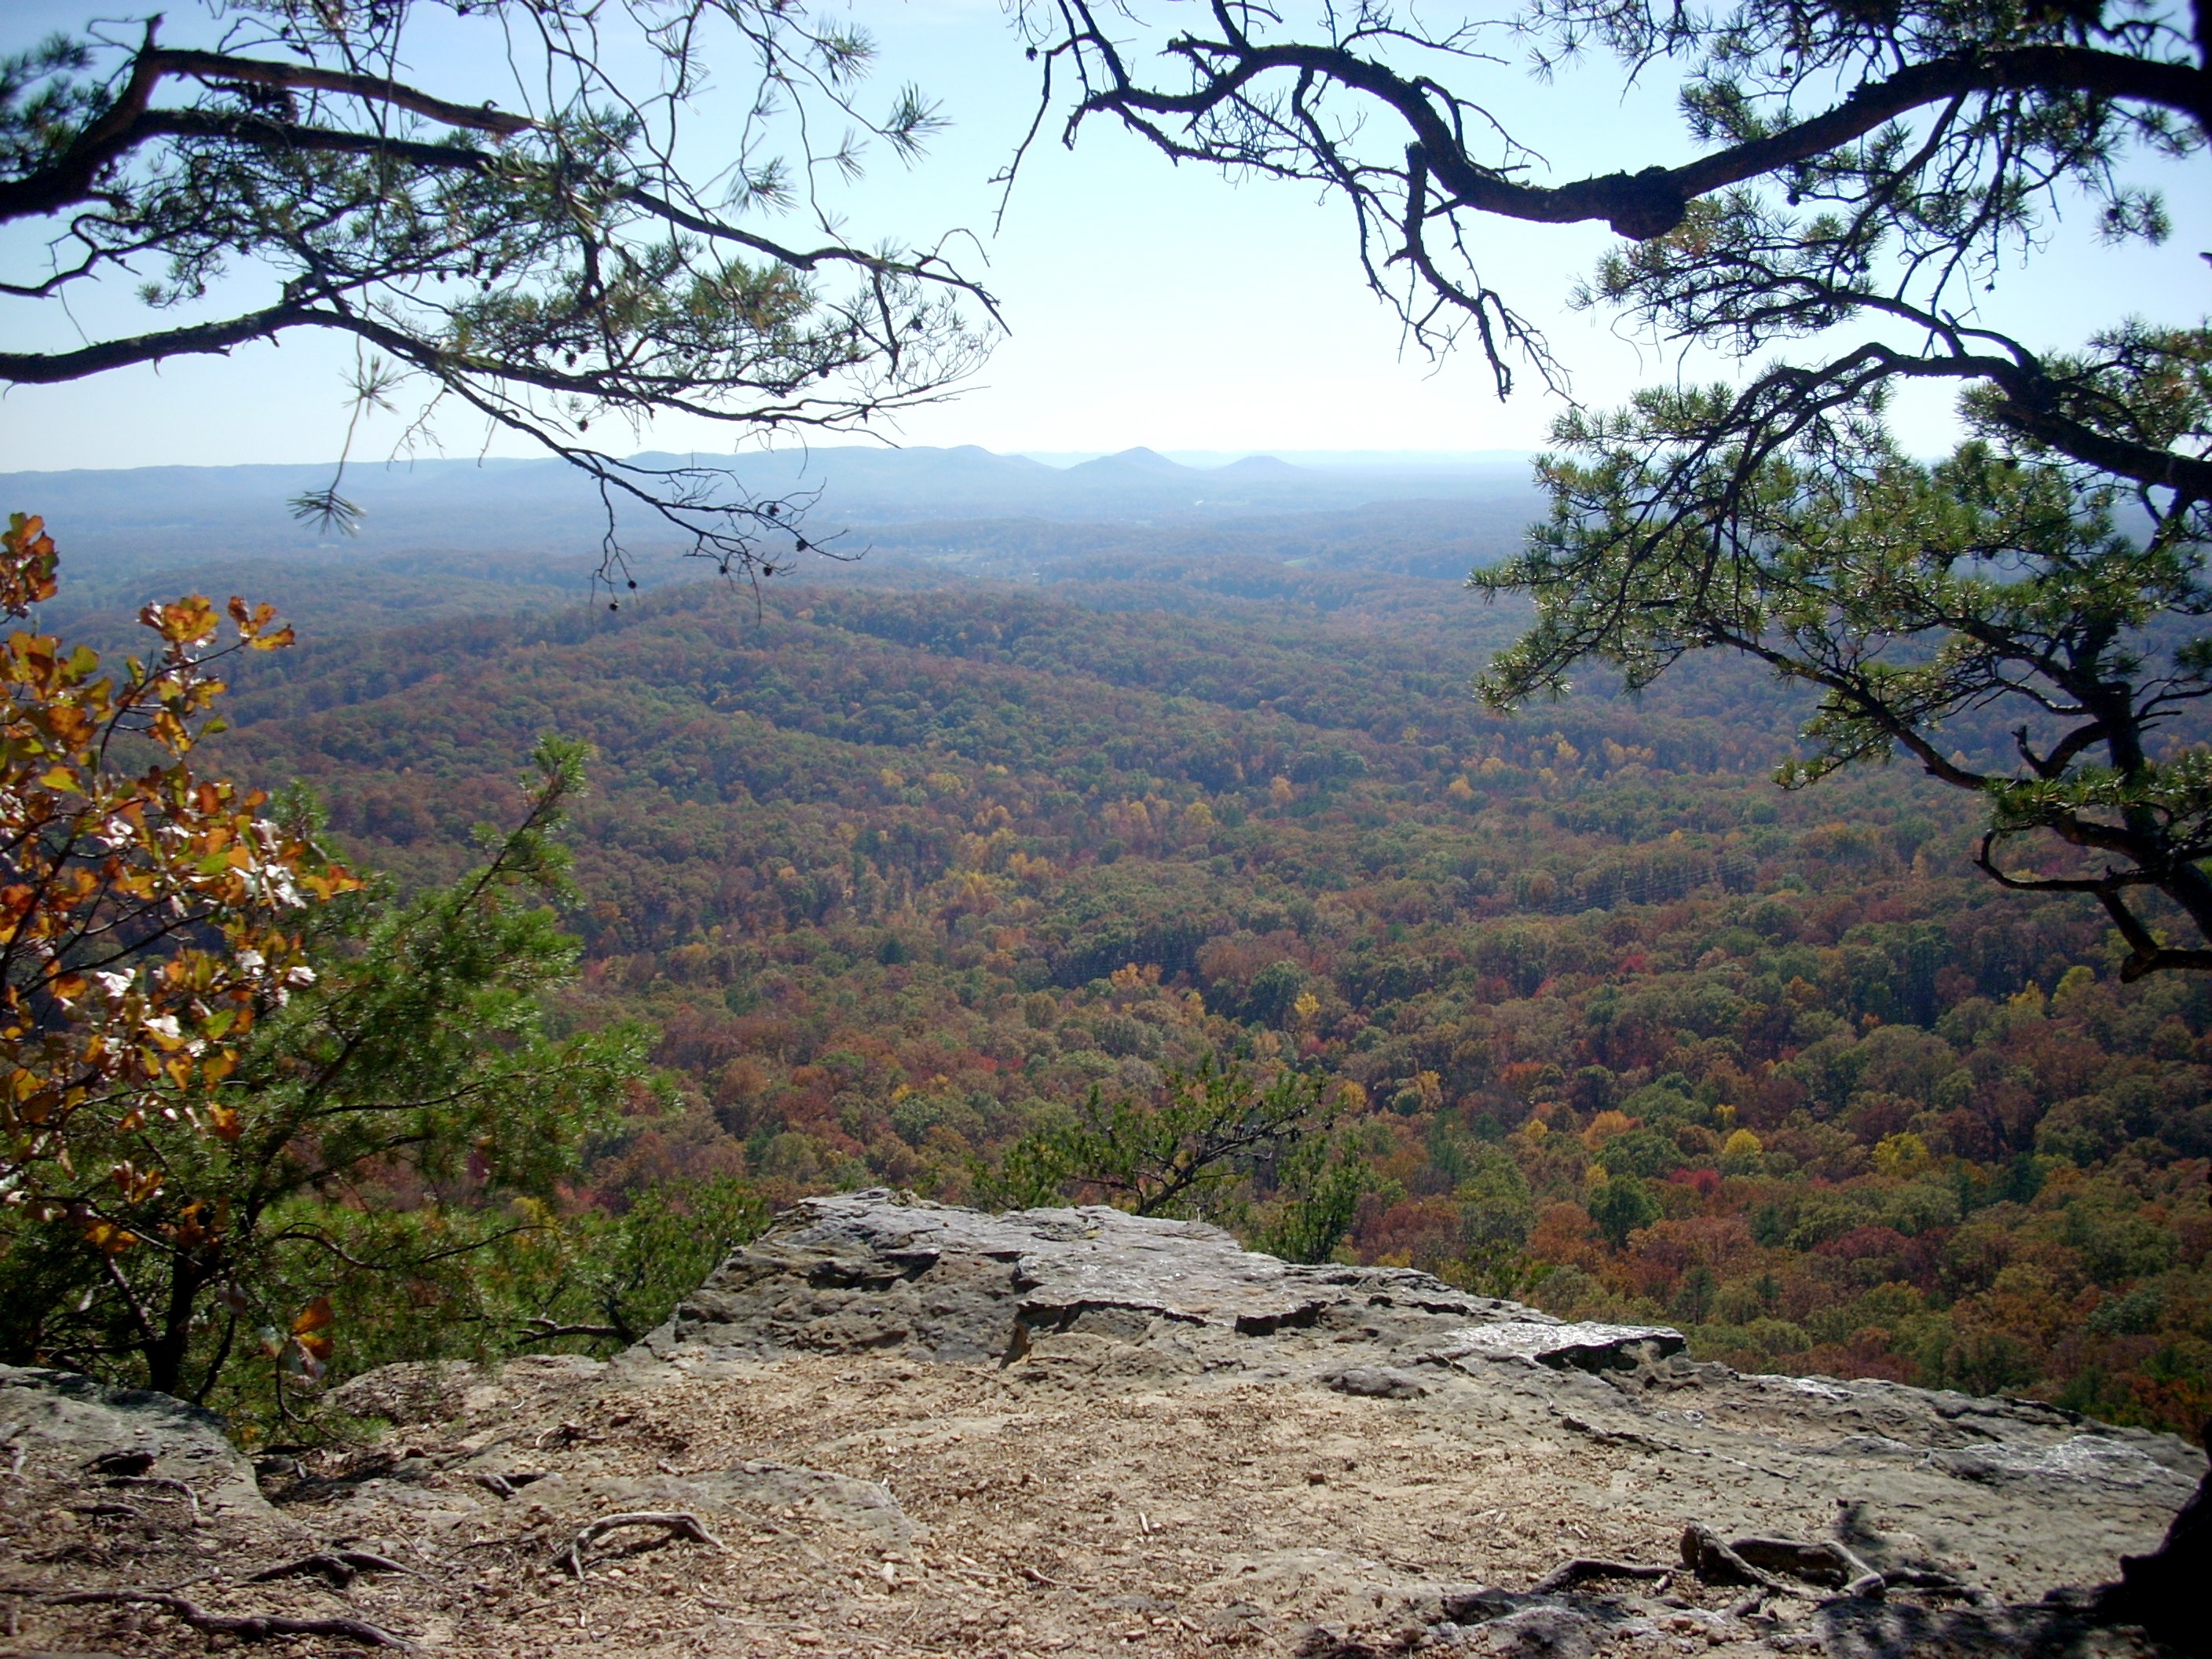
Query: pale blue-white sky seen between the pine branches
x: 1149, y: 304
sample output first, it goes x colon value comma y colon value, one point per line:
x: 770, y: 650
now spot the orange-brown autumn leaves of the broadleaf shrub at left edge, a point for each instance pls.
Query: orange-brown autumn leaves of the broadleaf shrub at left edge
x: 147, y: 912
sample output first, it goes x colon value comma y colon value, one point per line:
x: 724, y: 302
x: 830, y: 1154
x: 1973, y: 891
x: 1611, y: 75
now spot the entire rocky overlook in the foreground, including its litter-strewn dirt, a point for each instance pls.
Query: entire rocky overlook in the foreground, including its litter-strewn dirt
x: 897, y: 1428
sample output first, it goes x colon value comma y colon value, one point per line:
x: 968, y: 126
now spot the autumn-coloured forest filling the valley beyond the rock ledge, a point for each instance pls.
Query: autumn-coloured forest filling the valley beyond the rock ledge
x: 904, y: 866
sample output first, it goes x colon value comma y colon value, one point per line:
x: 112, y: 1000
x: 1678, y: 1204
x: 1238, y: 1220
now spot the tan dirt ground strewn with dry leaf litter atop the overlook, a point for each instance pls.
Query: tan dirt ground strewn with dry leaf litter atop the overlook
x: 1027, y: 1516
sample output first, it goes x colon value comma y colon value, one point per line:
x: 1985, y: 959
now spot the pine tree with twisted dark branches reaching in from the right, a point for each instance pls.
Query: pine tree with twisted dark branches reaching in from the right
x: 1861, y: 182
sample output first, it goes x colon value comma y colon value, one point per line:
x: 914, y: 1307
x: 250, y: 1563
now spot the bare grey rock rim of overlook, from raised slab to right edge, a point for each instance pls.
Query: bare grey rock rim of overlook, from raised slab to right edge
x: 1096, y: 1302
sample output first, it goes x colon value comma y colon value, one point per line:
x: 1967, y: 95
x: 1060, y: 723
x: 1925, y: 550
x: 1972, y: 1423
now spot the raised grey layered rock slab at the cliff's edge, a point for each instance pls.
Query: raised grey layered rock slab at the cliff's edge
x: 877, y: 1273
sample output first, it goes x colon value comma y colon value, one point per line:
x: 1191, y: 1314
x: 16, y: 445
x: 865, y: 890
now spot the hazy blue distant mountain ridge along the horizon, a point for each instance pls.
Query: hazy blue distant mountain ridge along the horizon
x: 132, y: 519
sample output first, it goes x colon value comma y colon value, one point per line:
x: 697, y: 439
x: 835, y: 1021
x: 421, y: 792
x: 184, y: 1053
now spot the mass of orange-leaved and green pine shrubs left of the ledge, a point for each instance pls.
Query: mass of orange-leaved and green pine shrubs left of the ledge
x: 262, y: 1116
